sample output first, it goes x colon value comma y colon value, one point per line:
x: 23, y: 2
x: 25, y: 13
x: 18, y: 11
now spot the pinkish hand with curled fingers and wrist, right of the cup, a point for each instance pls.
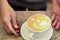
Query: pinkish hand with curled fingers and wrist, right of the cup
x: 55, y: 15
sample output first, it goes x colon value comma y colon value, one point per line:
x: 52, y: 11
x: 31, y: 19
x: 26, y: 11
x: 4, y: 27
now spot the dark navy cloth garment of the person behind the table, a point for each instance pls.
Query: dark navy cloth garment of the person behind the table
x: 31, y: 4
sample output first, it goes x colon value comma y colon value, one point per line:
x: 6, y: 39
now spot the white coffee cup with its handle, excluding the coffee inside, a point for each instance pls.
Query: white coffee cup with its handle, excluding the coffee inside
x: 34, y: 32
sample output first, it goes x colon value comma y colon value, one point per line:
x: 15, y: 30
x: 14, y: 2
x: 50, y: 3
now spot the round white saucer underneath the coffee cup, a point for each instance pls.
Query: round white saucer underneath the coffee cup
x: 46, y: 35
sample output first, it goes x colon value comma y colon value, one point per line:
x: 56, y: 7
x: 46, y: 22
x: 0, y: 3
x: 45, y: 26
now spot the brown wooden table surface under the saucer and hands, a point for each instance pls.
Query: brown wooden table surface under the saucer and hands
x: 21, y: 18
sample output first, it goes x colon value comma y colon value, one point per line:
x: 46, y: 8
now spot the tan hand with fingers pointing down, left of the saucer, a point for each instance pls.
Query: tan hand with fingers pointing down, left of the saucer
x: 8, y: 18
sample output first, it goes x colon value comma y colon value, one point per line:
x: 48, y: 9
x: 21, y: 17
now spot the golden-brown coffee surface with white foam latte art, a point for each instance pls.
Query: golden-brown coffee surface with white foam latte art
x: 38, y: 22
